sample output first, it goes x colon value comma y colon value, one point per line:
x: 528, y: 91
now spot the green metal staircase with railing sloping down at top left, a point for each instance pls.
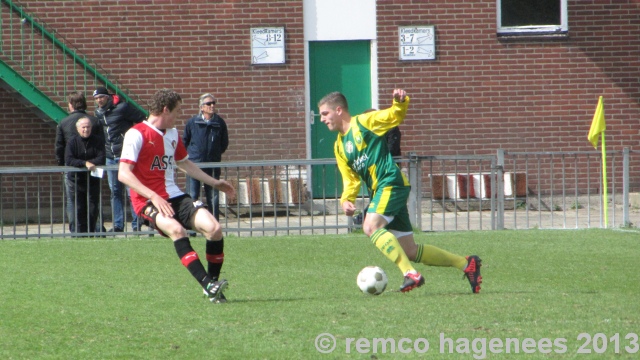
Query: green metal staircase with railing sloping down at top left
x: 40, y: 68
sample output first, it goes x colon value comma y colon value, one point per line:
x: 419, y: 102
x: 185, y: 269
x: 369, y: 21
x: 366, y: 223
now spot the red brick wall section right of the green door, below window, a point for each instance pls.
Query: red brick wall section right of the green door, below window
x: 523, y: 95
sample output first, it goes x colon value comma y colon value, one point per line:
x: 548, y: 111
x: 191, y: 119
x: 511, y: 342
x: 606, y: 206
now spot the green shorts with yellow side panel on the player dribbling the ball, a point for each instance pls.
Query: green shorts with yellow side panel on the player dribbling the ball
x: 392, y: 201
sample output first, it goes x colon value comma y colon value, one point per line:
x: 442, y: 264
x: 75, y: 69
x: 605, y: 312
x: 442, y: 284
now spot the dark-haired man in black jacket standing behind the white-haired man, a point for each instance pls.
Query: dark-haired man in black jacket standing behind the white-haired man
x: 64, y: 132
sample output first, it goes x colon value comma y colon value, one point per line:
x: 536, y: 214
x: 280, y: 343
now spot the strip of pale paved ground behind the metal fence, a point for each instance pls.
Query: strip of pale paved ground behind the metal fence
x: 325, y: 221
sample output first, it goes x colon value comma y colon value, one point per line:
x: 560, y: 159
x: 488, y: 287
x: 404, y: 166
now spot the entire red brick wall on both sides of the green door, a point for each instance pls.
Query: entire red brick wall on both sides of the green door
x: 480, y: 94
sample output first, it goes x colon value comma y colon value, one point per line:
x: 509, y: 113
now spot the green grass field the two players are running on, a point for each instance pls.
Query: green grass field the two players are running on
x: 132, y: 299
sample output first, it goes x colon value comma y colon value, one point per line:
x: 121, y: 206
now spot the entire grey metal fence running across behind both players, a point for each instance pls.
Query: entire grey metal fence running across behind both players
x: 514, y: 190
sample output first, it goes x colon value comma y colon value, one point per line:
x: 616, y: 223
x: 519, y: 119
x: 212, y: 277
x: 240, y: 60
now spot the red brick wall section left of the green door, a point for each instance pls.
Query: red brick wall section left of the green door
x: 194, y: 47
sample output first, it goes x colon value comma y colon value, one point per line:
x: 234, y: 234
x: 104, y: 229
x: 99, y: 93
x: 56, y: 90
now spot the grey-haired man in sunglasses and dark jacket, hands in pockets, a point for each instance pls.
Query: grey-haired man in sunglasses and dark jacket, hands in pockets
x: 206, y: 139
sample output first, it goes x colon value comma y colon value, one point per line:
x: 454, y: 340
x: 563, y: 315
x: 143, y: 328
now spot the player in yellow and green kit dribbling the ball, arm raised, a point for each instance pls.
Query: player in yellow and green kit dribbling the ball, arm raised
x: 362, y: 155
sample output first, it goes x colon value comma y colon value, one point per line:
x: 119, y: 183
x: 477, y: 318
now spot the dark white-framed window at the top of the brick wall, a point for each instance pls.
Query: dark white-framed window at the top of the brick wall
x: 532, y: 17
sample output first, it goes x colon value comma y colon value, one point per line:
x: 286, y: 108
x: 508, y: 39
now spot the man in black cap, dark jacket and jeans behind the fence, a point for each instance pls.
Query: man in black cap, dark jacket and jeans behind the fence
x: 116, y: 117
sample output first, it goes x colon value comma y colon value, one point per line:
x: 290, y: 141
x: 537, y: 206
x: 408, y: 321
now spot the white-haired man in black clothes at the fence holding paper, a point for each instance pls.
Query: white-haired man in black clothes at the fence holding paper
x: 85, y: 150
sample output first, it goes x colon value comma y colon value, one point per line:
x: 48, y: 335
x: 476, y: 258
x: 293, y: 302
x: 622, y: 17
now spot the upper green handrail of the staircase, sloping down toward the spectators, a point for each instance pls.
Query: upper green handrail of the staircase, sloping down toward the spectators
x: 25, y: 18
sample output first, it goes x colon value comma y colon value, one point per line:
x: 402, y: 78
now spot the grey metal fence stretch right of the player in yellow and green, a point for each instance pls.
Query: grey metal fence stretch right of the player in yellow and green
x: 524, y: 190
